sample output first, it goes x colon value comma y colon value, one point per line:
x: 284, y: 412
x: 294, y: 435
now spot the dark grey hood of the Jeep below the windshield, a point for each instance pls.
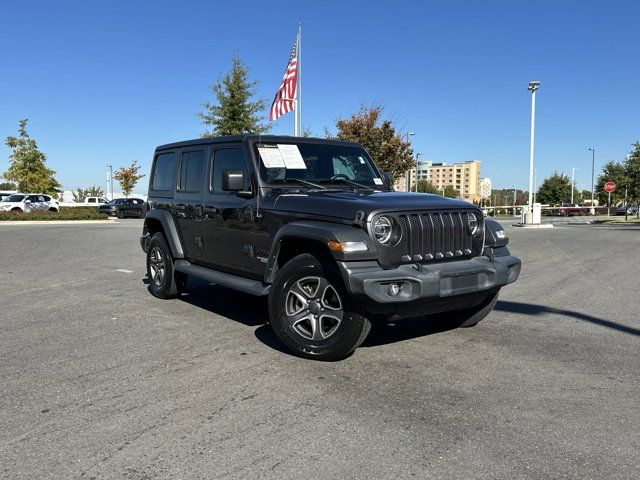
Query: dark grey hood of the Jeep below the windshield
x: 346, y: 204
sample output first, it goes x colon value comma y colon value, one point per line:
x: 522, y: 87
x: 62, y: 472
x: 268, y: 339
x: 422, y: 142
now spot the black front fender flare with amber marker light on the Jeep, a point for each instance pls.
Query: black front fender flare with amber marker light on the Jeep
x: 321, y: 232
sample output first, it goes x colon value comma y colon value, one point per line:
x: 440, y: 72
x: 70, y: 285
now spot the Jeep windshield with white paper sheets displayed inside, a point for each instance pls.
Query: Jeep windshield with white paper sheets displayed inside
x: 318, y: 163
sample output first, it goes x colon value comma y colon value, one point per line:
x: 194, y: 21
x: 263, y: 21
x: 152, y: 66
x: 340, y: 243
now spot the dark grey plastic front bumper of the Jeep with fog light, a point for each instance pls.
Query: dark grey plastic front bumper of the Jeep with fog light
x: 418, y: 282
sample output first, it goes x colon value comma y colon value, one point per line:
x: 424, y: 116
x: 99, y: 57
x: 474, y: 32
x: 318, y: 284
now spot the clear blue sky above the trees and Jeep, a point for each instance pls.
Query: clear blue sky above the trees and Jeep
x: 105, y: 82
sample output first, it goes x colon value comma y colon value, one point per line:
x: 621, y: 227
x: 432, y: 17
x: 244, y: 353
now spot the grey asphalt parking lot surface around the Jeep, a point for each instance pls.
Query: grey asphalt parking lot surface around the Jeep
x: 102, y: 380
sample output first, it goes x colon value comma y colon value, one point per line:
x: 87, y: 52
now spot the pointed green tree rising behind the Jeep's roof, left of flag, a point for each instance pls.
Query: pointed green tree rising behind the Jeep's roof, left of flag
x: 235, y: 113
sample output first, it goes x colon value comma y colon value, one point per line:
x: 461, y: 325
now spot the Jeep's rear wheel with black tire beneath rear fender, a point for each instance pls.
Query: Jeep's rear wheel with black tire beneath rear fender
x: 164, y: 281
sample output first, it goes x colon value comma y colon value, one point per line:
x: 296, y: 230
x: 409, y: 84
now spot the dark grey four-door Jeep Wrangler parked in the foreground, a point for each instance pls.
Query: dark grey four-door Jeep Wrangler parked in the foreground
x: 314, y: 225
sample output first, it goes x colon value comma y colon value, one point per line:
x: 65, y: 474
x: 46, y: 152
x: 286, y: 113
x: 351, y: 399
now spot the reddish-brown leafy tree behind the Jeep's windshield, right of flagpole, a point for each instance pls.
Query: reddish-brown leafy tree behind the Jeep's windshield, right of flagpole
x: 387, y: 148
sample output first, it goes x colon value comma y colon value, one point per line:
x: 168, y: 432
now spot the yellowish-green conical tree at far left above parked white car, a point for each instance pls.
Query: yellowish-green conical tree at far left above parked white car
x: 28, y: 164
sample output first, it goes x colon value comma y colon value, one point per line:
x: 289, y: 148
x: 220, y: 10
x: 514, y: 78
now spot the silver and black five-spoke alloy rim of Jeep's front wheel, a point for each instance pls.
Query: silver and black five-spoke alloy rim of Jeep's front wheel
x: 313, y: 308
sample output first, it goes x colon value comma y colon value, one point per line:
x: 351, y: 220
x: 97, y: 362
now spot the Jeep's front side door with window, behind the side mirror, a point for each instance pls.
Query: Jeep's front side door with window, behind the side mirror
x: 229, y: 220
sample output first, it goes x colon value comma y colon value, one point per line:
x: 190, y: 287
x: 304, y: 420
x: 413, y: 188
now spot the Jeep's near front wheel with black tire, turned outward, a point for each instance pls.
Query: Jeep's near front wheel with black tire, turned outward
x: 327, y: 337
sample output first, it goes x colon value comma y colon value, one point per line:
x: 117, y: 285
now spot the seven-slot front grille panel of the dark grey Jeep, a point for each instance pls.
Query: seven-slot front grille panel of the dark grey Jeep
x: 431, y: 236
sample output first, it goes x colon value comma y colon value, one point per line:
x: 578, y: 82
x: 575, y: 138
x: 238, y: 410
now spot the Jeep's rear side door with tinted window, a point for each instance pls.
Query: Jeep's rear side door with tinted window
x: 187, y: 205
